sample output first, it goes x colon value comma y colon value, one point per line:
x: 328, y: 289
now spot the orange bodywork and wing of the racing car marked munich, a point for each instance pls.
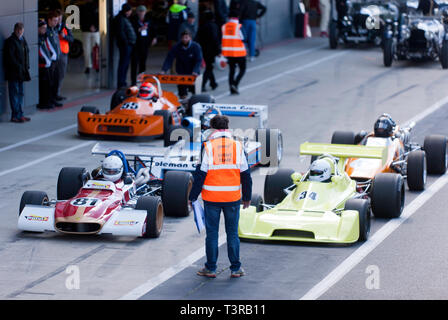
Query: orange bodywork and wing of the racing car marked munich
x: 135, y: 117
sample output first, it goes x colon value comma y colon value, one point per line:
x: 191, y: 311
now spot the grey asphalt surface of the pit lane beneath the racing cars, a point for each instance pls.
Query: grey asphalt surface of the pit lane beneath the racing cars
x: 311, y: 92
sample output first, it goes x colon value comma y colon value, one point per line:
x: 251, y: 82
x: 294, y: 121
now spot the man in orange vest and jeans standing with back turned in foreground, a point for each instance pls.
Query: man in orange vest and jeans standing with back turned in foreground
x: 223, y: 178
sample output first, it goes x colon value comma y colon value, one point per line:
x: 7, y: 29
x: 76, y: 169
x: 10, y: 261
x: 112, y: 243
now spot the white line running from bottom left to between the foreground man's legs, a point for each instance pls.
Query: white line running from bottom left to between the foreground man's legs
x: 168, y: 273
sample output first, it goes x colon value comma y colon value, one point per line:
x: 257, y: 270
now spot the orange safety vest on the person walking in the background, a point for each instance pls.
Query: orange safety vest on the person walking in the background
x: 232, y: 44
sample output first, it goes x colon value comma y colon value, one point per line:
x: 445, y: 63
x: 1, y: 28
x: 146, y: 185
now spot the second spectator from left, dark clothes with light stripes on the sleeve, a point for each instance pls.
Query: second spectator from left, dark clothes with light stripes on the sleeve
x: 47, y: 57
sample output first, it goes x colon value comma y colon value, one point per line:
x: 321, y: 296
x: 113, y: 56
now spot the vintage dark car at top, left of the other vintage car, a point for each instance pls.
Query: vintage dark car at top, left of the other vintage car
x: 359, y: 21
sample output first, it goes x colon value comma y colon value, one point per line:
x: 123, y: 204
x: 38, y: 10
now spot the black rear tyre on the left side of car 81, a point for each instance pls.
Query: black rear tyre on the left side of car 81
x: 70, y: 181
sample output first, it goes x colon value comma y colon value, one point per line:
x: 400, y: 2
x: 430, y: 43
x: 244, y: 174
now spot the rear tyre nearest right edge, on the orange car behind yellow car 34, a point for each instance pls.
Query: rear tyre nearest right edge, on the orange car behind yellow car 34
x: 435, y: 149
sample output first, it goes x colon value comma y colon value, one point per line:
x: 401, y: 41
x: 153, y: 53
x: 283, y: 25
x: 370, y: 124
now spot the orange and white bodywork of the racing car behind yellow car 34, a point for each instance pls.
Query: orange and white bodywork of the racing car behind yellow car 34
x: 363, y: 169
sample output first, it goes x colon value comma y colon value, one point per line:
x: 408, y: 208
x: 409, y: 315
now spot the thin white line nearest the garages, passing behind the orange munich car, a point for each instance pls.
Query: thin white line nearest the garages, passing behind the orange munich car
x: 52, y: 133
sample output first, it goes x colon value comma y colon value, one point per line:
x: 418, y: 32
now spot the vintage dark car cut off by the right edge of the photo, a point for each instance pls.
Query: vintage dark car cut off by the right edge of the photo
x: 418, y: 37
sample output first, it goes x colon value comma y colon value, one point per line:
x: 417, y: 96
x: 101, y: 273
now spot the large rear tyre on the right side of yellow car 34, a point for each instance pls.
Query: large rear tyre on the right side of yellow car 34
x: 387, y: 195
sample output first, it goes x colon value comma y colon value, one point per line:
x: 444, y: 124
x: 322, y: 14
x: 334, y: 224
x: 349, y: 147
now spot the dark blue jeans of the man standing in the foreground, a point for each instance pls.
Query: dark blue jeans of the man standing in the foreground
x: 231, y: 217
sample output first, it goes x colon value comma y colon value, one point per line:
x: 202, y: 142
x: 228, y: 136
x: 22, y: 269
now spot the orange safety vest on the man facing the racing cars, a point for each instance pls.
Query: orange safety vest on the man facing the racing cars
x: 223, y: 182
